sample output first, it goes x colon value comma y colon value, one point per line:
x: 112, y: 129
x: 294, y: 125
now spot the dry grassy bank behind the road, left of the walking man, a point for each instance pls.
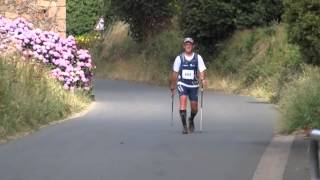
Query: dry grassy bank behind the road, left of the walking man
x: 119, y: 57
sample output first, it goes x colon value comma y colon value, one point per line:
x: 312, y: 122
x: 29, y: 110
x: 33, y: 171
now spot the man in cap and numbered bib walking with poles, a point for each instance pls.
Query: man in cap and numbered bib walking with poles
x: 188, y: 69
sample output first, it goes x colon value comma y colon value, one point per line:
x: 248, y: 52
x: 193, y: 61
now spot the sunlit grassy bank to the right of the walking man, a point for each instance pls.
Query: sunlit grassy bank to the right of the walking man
x: 260, y: 61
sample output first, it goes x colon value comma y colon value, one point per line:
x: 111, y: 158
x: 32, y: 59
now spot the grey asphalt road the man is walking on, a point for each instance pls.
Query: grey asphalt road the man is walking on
x: 127, y: 136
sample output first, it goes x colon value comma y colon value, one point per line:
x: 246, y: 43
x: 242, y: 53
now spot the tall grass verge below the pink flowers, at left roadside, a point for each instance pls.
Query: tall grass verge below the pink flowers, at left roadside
x: 29, y: 98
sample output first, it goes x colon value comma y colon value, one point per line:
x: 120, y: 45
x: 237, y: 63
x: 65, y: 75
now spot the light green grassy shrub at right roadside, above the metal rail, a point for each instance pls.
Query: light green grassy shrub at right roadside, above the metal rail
x: 300, y: 105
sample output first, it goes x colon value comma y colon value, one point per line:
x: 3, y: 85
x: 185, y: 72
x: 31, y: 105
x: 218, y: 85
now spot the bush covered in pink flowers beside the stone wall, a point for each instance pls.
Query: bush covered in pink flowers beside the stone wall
x: 71, y: 66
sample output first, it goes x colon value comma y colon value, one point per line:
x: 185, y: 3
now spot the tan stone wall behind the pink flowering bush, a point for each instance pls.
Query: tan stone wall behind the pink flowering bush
x: 45, y: 14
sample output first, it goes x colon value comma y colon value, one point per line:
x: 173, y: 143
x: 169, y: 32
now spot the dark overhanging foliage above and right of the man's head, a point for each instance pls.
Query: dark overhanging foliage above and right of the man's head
x: 210, y: 21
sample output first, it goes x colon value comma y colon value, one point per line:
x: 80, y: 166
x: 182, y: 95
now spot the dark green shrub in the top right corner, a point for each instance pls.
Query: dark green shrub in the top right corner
x: 303, y: 19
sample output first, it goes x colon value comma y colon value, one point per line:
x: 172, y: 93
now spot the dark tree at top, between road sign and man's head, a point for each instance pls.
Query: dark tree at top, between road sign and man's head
x: 145, y: 17
